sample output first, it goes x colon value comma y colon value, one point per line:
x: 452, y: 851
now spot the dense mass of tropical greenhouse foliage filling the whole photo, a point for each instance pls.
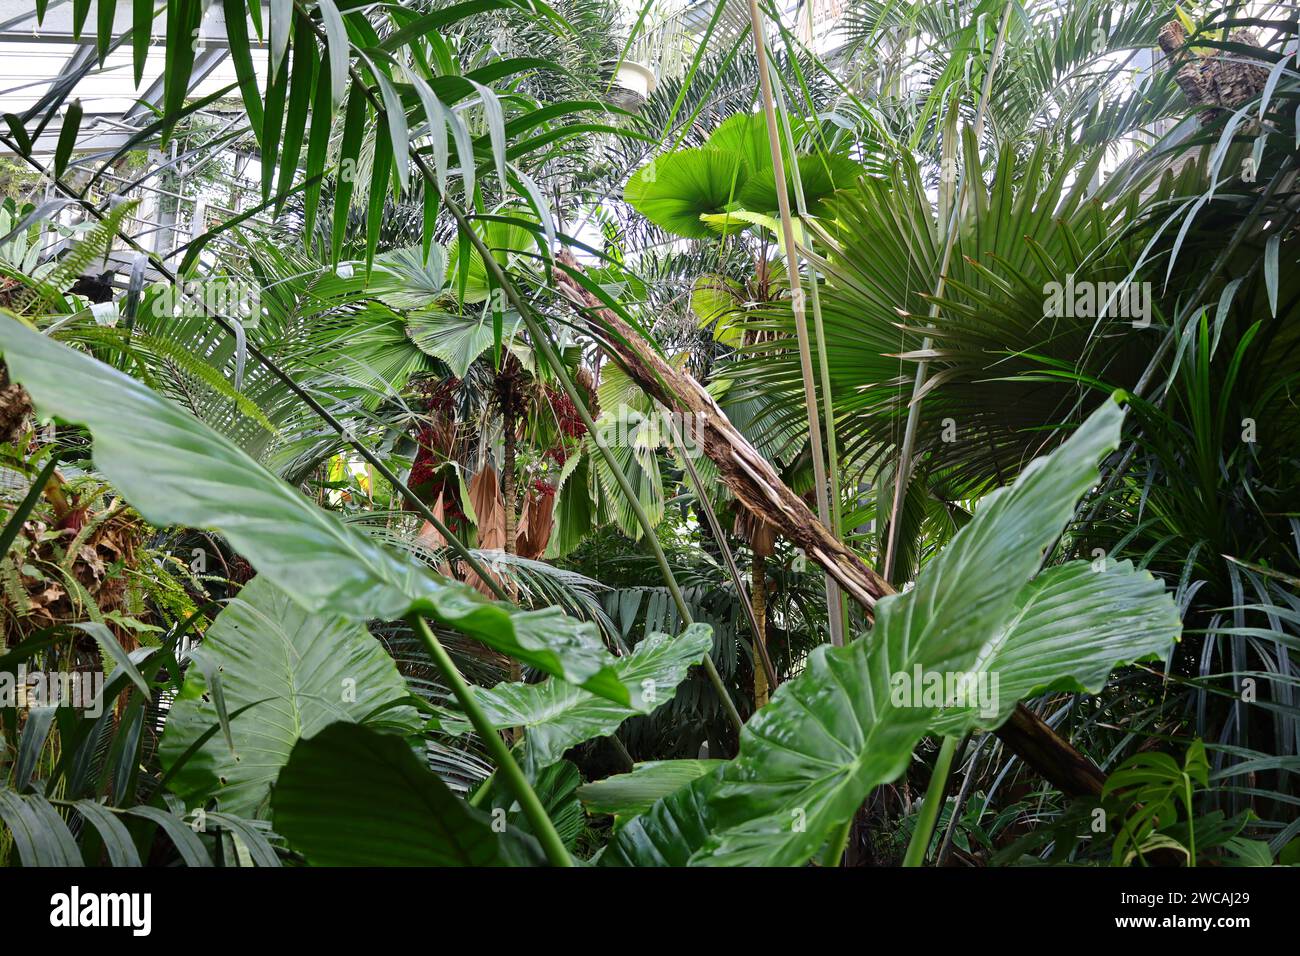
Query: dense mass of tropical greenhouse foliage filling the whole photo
x: 691, y: 477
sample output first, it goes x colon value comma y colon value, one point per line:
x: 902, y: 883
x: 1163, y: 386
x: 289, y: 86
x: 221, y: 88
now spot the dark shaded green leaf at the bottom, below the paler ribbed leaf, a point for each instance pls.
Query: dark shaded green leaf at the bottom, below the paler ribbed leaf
x: 352, y: 797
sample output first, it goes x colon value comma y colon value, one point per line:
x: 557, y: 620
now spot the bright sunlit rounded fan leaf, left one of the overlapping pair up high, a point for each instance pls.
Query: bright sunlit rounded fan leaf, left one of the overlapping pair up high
x: 675, y: 189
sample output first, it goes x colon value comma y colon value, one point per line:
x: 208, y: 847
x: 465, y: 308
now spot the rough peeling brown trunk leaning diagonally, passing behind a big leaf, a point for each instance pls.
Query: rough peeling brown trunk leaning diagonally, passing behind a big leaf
x: 756, y: 485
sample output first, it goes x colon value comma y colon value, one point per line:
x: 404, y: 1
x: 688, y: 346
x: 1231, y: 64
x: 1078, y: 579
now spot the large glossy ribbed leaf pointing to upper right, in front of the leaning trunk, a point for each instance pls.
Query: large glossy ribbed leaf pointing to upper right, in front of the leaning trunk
x: 809, y: 759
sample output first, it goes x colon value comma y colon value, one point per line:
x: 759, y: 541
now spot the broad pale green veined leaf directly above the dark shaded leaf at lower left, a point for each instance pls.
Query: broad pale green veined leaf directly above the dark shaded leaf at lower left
x: 301, y: 672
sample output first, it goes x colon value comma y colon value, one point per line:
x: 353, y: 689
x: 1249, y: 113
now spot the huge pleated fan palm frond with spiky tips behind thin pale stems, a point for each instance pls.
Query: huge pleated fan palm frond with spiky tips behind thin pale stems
x: 1019, y: 236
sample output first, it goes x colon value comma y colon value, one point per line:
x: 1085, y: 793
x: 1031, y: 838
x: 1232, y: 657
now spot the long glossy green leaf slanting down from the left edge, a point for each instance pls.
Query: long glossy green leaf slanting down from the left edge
x: 176, y: 470
